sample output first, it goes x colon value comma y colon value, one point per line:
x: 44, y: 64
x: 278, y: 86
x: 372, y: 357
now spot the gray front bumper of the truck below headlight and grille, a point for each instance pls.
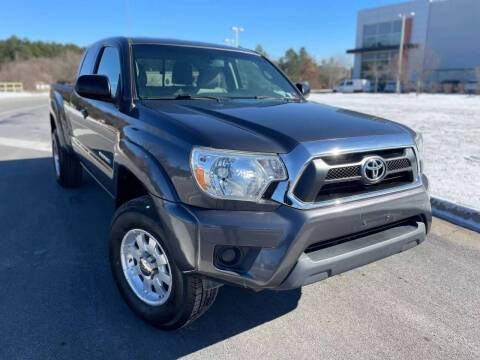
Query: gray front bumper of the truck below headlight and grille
x: 283, y: 235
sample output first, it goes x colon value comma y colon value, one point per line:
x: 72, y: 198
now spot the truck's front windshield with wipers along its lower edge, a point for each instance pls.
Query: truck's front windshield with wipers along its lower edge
x: 168, y: 72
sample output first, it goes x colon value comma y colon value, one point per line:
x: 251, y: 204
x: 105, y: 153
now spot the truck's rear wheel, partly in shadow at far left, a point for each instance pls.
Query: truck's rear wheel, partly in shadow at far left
x: 69, y: 171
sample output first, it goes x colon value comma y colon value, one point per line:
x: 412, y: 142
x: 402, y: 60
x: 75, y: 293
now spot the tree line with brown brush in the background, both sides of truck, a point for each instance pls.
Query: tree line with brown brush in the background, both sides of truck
x: 33, y: 62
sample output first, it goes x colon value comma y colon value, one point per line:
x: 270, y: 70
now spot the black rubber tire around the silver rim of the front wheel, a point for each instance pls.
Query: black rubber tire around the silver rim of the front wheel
x: 189, y: 297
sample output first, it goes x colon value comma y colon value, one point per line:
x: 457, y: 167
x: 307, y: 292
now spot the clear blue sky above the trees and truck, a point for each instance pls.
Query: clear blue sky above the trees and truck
x: 325, y: 27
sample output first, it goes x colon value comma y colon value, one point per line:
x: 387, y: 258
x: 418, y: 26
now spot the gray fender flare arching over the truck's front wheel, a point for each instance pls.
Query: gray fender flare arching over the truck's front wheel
x: 146, y: 168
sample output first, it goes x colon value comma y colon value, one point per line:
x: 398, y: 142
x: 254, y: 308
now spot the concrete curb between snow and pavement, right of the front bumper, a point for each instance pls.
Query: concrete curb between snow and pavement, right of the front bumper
x: 457, y: 214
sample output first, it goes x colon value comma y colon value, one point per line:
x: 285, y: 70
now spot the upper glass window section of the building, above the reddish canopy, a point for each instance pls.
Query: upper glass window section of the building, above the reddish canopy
x: 382, y: 34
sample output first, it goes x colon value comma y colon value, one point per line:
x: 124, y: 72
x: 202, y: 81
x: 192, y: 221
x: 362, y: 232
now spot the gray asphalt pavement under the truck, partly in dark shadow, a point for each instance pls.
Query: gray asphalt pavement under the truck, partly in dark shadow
x: 58, y: 300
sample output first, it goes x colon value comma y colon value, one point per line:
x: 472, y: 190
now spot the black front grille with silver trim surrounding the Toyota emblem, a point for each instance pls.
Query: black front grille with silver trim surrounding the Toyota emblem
x: 336, y: 177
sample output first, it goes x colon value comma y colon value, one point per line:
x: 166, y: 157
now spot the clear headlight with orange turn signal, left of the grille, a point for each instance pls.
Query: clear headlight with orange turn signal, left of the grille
x: 235, y: 176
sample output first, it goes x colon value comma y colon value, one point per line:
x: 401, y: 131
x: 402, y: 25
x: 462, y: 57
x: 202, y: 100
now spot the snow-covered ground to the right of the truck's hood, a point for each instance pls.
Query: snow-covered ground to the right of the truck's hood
x: 450, y: 125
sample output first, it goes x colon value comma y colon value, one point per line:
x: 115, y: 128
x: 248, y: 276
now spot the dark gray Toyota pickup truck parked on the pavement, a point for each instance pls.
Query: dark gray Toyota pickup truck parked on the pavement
x: 223, y: 173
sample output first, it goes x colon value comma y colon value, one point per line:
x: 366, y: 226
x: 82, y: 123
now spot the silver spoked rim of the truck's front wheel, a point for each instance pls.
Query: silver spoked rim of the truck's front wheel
x: 146, y: 267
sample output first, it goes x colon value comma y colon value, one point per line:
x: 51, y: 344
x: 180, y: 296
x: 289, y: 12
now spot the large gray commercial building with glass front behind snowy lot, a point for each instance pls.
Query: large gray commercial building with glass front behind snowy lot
x: 441, y: 42
